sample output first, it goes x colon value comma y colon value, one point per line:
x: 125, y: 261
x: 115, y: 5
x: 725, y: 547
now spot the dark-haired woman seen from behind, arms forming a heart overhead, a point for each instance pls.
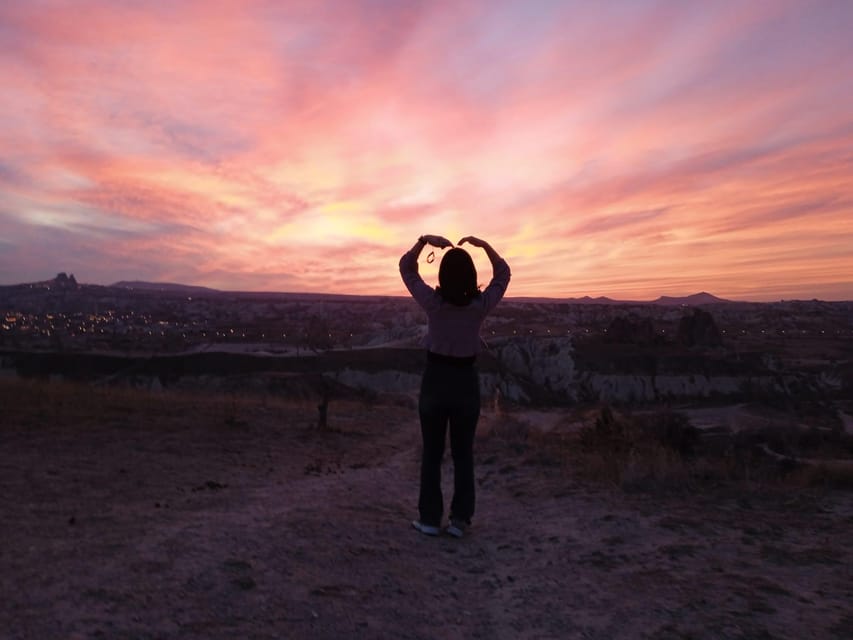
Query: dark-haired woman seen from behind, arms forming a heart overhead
x: 450, y: 386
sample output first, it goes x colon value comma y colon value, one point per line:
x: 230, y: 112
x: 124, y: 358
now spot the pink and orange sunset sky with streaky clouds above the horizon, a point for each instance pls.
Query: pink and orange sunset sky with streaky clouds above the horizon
x: 621, y: 148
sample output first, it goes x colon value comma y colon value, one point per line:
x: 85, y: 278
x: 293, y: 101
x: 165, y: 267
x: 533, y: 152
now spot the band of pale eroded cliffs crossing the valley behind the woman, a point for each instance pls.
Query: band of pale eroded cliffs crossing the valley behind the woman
x: 536, y: 371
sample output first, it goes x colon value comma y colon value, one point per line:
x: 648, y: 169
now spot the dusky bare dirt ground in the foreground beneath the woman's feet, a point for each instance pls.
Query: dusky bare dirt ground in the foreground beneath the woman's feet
x: 128, y: 516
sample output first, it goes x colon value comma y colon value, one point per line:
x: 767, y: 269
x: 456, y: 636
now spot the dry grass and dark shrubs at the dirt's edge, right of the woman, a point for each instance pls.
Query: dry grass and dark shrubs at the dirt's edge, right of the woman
x: 661, y: 451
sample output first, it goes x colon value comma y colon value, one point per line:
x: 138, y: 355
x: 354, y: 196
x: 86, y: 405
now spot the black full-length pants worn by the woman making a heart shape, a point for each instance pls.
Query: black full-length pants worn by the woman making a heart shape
x: 450, y: 395
